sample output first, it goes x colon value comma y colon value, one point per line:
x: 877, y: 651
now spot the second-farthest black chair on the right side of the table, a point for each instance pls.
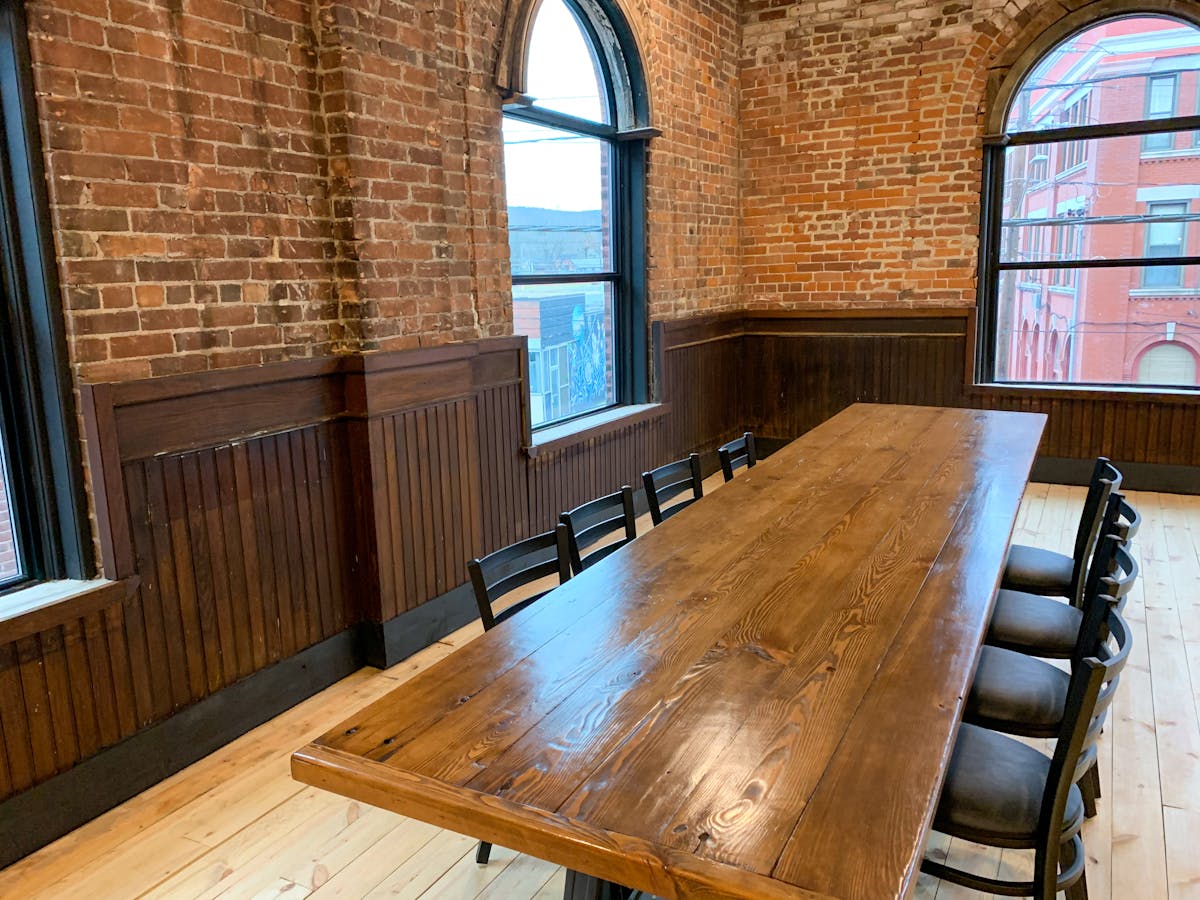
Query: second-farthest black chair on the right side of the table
x: 1045, y: 627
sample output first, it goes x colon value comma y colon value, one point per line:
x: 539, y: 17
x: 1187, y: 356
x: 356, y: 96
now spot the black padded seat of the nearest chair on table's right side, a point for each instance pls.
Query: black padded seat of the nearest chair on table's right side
x: 993, y: 791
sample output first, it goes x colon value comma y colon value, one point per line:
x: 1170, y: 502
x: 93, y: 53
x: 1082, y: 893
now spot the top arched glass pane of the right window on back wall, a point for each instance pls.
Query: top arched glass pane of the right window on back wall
x: 1121, y: 70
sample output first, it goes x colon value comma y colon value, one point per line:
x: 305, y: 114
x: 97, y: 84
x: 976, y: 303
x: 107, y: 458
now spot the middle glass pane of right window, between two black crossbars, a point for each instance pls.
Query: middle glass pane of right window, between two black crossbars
x: 1113, y: 209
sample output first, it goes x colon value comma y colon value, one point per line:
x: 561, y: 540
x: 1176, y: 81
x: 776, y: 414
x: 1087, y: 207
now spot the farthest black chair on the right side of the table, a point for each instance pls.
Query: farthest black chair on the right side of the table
x: 1042, y: 572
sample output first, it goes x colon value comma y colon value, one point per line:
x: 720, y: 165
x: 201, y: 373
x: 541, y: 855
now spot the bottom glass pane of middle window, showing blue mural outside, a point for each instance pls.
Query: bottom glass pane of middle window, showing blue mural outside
x: 572, y: 334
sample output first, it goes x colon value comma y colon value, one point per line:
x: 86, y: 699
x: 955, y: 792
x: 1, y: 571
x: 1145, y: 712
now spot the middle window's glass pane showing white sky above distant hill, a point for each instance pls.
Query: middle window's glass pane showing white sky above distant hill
x: 559, y: 196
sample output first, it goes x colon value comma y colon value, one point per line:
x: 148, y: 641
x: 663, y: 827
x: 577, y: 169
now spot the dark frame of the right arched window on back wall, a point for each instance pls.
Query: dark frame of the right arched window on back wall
x: 1005, y: 91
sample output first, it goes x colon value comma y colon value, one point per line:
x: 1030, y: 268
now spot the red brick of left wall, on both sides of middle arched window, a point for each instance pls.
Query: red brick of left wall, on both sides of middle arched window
x: 238, y: 182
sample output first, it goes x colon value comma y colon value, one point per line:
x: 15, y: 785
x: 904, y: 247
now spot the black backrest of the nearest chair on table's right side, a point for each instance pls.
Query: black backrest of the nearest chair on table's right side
x: 1094, y: 683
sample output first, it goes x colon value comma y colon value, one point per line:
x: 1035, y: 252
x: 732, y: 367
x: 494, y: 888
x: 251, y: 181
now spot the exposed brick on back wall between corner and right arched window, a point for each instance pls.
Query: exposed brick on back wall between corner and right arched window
x: 861, y: 143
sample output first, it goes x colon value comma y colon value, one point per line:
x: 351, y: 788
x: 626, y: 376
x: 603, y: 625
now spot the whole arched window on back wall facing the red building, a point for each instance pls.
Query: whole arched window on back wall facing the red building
x: 1094, y: 143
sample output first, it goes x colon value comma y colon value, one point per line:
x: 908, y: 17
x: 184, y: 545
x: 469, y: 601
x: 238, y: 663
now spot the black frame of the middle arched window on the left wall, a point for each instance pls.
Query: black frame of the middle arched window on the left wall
x: 628, y: 146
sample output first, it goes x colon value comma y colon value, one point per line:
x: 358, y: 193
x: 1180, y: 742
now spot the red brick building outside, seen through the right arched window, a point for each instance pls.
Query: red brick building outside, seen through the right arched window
x: 1106, y: 326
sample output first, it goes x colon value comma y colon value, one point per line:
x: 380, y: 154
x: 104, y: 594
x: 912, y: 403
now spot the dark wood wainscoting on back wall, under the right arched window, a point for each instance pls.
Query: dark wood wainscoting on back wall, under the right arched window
x: 813, y: 365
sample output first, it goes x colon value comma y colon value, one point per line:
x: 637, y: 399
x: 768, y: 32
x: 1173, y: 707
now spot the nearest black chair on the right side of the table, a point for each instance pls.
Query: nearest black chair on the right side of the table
x: 1004, y: 794
